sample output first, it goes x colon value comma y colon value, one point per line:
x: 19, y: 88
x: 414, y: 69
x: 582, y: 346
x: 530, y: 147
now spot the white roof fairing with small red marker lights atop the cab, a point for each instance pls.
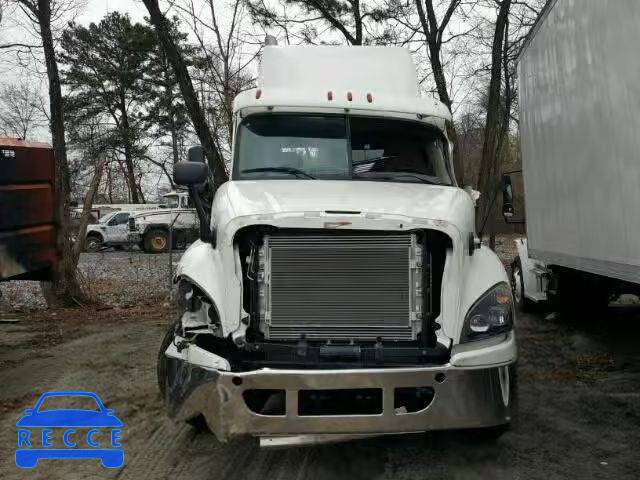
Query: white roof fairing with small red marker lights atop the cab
x: 302, y: 76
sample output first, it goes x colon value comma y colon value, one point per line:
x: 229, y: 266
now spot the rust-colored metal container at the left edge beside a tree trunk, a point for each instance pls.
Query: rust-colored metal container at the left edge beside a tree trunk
x: 28, y: 224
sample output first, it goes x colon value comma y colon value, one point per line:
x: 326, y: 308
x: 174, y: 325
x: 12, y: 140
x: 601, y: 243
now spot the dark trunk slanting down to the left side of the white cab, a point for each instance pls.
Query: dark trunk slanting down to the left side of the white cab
x: 174, y: 55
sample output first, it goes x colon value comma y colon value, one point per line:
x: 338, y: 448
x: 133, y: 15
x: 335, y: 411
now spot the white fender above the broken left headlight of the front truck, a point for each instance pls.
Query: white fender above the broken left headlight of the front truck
x: 202, y: 265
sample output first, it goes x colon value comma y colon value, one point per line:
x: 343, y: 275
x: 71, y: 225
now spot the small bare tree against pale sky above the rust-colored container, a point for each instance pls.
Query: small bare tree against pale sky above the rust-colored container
x: 20, y: 113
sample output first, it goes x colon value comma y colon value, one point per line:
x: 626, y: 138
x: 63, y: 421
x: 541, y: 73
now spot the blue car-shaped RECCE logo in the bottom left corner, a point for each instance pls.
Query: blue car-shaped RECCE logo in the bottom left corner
x: 92, y: 431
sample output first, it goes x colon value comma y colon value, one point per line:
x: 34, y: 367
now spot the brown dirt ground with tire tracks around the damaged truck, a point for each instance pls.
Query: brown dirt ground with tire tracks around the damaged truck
x: 579, y: 407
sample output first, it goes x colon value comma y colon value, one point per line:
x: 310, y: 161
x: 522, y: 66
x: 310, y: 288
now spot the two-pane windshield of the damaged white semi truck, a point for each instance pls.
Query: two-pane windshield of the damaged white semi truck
x: 338, y: 147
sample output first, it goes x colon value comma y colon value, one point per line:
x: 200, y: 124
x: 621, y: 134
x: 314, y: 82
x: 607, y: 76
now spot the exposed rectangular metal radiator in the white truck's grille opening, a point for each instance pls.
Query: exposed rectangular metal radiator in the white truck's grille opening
x: 341, y: 286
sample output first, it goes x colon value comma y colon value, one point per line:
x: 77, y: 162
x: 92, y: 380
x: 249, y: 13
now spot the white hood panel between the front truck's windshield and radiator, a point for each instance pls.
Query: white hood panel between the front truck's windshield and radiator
x: 264, y: 197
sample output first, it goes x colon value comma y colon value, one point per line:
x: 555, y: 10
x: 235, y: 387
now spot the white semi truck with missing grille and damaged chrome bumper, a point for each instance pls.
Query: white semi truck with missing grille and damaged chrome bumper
x: 338, y: 289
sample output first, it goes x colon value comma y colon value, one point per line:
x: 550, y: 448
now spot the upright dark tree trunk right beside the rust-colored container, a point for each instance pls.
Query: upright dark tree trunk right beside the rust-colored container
x: 65, y: 290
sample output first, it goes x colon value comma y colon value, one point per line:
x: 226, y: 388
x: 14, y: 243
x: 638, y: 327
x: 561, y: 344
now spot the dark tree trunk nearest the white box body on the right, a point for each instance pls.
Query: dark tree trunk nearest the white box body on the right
x: 489, y: 163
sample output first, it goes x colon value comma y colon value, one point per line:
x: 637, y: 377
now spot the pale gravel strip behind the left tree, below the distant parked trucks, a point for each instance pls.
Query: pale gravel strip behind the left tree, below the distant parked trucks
x: 113, y: 278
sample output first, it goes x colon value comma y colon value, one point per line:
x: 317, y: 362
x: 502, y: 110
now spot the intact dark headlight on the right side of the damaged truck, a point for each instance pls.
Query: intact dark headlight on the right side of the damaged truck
x: 491, y: 314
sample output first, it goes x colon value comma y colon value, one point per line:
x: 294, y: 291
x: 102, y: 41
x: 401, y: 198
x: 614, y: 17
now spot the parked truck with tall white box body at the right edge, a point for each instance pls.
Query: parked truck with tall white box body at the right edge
x: 579, y: 128
